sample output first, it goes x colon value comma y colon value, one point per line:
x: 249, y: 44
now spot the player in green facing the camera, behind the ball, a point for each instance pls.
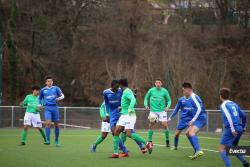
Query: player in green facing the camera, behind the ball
x: 159, y: 104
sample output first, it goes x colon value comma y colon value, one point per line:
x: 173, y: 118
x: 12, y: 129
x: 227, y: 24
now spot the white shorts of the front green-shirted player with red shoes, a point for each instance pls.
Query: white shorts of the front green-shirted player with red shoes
x: 127, y: 122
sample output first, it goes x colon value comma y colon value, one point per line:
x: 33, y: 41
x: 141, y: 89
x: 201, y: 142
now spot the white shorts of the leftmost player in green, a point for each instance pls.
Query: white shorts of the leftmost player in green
x: 33, y: 119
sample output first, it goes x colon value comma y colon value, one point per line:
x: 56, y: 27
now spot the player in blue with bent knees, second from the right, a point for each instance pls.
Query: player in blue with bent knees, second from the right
x: 193, y: 118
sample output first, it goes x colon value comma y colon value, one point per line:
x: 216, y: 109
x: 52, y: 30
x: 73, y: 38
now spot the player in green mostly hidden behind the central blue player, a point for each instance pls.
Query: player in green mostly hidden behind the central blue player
x: 105, y: 129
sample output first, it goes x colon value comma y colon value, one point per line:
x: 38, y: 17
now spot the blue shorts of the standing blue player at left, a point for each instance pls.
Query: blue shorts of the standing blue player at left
x: 51, y: 113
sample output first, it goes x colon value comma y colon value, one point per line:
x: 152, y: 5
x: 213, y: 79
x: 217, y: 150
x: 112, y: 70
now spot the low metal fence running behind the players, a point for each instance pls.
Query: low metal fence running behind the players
x: 88, y: 117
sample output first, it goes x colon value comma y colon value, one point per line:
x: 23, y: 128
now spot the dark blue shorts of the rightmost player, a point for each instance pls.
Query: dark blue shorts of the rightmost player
x: 228, y: 139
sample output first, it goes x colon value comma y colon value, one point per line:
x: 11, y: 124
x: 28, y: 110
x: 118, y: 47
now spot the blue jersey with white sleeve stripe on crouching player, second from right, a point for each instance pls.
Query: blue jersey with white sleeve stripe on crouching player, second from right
x: 191, y: 108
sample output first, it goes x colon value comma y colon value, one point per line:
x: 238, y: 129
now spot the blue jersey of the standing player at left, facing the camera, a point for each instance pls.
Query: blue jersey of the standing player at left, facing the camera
x: 48, y: 95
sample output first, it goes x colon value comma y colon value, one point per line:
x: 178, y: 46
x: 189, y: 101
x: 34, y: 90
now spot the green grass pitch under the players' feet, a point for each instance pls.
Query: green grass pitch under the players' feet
x: 75, y: 151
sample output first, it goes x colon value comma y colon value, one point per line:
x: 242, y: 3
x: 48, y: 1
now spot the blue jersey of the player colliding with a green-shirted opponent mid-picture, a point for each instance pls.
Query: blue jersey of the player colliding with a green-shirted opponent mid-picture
x: 112, y: 101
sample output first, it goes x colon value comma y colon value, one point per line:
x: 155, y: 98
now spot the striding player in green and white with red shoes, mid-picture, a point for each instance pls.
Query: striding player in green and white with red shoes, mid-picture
x: 127, y: 119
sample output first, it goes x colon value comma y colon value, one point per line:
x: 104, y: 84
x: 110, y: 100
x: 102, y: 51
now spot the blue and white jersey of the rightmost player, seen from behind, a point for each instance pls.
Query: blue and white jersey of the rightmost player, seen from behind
x: 232, y: 115
